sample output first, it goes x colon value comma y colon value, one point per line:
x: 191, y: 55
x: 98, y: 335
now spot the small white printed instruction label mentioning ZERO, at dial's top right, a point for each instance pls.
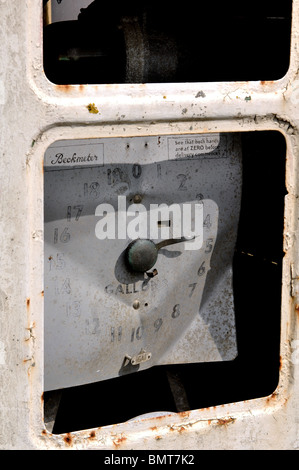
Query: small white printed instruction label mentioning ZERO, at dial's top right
x: 190, y: 146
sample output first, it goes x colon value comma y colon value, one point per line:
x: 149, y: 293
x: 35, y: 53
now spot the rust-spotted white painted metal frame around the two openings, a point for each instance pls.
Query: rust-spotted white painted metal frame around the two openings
x: 35, y: 113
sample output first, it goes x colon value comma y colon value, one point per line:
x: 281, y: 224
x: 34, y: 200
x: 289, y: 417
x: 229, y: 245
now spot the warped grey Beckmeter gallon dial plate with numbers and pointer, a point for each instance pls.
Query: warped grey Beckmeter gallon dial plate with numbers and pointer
x: 139, y: 237
